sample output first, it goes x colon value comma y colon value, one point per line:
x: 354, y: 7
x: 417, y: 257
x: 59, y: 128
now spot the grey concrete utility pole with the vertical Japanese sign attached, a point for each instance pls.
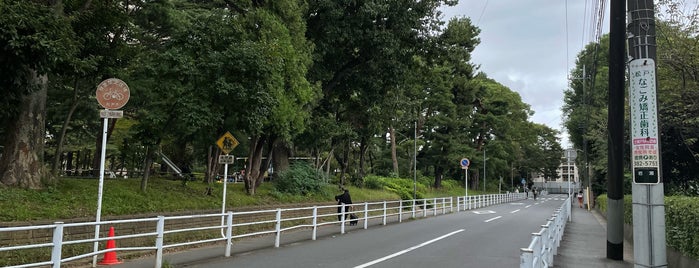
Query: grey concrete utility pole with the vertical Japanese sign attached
x: 647, y: 189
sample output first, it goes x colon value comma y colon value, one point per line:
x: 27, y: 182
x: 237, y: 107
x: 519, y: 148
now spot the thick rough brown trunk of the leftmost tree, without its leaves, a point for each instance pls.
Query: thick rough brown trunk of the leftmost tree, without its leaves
x: 21, y: 164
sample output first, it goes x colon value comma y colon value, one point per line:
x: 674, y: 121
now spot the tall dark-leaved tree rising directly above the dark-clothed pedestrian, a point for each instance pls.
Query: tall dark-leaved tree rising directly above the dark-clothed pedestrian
x: 363, y: 50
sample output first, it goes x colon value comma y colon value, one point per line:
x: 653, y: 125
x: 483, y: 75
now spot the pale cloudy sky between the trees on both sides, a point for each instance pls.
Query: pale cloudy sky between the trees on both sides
x: 523, y: 46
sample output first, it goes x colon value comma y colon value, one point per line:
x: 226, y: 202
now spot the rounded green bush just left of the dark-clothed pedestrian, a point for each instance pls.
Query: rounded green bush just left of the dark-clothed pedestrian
x: 299, y: 179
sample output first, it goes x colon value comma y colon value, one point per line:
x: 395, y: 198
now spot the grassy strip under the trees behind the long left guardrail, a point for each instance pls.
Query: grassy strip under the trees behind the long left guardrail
x: 77, y: 198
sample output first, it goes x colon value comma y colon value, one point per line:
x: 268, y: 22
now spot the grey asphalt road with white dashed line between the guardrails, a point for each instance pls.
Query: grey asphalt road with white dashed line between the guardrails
x: 486, y: 237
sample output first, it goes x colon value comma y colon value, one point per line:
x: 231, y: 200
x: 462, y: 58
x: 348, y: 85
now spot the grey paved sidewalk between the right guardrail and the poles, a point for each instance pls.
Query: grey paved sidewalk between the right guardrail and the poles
x: 584, y: 243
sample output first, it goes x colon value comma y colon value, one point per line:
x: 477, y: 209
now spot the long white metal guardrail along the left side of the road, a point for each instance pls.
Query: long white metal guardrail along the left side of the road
x: 263, y: 222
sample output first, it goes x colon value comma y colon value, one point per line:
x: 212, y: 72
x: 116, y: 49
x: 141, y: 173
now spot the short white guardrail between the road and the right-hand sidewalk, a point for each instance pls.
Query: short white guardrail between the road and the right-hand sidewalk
x: 545, y: 243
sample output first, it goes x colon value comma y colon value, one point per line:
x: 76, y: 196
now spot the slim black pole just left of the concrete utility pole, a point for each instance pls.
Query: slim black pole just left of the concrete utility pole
x: 615, y: 123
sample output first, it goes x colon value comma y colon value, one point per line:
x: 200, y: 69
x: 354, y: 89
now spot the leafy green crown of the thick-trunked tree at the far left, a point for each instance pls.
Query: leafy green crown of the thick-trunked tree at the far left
x: 34, y: 41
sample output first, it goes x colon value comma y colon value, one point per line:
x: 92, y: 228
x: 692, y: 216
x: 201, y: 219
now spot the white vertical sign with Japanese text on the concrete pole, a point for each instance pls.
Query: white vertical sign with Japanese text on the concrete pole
x: 645, y: 158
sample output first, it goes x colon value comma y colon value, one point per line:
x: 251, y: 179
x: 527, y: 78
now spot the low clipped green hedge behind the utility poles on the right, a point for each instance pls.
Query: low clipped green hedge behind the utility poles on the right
x: 681, y: 217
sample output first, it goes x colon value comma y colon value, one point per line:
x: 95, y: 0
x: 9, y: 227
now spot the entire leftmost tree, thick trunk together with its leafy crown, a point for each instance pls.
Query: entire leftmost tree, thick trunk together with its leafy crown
x: 35, y: 38
